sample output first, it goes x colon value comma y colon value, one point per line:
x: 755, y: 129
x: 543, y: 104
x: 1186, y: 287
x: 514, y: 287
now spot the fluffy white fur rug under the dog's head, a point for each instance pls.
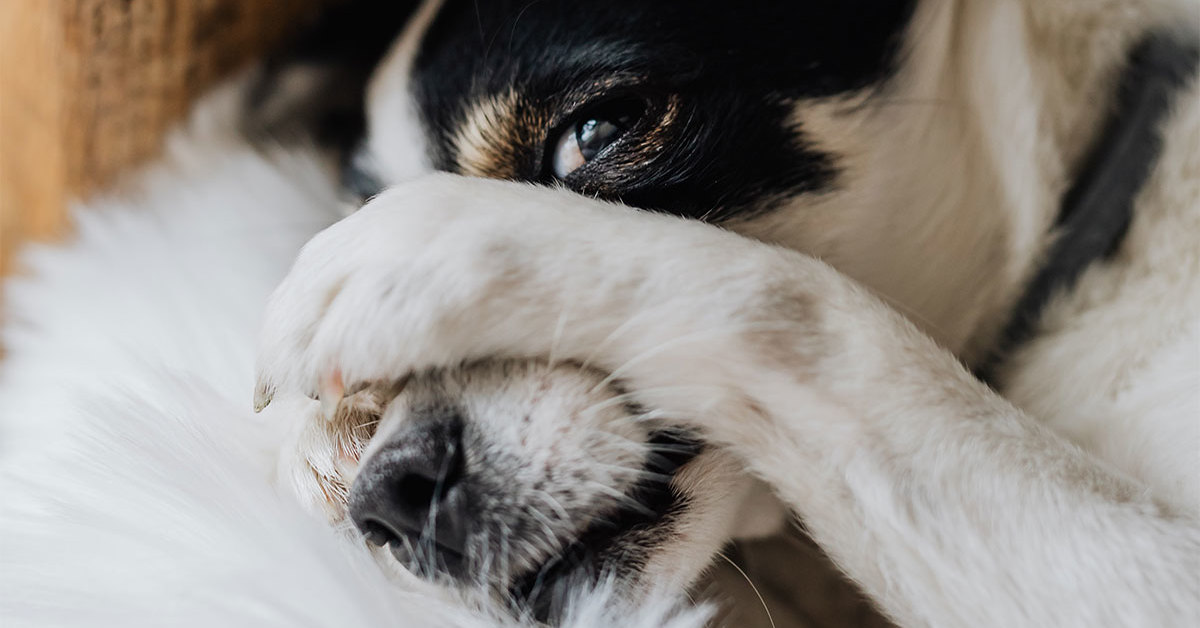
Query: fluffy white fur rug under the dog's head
x: 136, y: 481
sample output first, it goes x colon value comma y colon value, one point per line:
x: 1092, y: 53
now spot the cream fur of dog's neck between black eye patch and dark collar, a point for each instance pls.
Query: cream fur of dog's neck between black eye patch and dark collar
x: 956, y: 171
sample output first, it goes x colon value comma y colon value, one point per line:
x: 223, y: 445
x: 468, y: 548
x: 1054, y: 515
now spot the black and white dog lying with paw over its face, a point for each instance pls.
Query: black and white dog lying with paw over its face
x: 637, y: 279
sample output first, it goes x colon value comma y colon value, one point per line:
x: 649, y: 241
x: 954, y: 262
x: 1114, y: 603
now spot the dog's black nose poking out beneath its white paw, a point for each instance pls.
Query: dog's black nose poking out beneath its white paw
x: 411, y: 495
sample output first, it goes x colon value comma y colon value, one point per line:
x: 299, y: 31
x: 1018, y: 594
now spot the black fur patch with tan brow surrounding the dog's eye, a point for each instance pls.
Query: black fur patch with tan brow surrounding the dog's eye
x: 489, y: 81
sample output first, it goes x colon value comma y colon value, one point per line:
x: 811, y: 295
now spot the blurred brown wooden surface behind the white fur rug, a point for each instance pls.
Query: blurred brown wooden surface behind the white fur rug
x: 89, y: 87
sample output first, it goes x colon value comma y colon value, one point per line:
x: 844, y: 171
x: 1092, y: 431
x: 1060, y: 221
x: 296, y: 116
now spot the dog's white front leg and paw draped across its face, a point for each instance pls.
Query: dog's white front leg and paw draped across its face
x: 946, y: 504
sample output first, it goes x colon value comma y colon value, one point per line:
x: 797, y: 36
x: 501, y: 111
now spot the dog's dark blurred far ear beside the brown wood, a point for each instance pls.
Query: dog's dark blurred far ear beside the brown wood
x: 315, y: 88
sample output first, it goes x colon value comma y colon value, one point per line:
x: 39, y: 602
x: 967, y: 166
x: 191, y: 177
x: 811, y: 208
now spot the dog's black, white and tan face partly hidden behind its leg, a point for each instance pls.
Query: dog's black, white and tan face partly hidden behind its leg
x: 524, y: 479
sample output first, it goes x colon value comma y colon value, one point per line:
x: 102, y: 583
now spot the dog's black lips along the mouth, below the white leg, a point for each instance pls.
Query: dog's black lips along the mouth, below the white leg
x: 609, y: 547
